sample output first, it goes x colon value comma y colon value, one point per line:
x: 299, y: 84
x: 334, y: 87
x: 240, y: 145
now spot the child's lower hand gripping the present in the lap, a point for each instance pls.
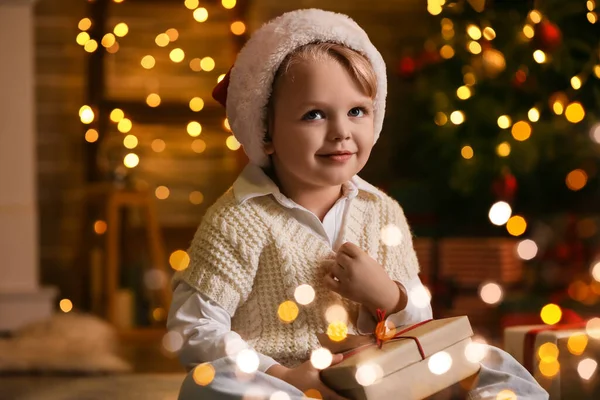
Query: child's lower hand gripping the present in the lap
x: 306, y: 377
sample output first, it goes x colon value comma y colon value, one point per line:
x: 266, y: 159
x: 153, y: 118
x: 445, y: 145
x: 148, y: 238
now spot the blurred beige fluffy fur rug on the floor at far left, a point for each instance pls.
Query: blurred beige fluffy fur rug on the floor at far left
x: 66, y: 343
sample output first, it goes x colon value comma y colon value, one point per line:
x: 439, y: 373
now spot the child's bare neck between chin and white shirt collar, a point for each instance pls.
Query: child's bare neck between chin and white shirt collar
x: 315, y: 199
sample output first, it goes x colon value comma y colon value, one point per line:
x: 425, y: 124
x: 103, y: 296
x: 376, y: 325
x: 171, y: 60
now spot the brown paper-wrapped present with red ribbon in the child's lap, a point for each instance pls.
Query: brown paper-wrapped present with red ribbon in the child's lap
x: 417, y: 361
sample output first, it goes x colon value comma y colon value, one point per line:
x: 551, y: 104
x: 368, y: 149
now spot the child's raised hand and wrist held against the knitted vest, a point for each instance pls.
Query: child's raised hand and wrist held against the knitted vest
x: 358, y: 277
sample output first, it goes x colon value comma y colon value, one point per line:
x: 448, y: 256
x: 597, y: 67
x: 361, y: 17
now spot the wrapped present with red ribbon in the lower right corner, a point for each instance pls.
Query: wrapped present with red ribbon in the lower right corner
x: 562, y: 358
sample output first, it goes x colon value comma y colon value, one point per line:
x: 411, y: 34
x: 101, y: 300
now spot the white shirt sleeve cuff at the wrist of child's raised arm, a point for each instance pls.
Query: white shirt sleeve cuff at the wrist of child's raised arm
x: 413, y: 312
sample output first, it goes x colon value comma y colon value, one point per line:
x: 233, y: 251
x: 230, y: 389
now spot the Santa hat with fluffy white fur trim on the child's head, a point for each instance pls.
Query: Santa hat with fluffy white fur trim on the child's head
x: 246, y: 88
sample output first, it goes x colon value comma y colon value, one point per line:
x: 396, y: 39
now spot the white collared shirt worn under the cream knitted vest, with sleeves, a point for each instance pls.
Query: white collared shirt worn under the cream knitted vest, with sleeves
x: 205, y: 326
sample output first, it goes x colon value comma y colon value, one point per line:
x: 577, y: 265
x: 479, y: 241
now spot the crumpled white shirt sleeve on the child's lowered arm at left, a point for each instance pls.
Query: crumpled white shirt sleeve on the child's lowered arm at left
x: 205, y: 328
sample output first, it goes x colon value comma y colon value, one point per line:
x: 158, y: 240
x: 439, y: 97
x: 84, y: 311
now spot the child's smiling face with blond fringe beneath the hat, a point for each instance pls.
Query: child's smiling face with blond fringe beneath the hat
x: 321, y: 126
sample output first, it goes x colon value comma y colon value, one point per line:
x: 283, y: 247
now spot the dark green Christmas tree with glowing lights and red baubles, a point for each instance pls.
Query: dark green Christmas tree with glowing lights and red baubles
x: 506, y: 97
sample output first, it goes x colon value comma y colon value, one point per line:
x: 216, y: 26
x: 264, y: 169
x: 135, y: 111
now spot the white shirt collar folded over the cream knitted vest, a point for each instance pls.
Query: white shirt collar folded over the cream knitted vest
x: 254, y: 182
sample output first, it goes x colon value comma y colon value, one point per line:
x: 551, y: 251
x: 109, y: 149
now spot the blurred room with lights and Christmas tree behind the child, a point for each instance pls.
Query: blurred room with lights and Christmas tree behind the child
x: 112, y: 149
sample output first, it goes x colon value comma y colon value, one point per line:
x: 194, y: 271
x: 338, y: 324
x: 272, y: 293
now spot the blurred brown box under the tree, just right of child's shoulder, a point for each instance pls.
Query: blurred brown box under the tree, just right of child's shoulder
x: 470, y: 261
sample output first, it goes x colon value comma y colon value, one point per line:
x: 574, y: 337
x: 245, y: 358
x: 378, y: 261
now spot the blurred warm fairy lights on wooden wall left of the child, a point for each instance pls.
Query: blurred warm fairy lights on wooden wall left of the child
x: 110, y: 44
